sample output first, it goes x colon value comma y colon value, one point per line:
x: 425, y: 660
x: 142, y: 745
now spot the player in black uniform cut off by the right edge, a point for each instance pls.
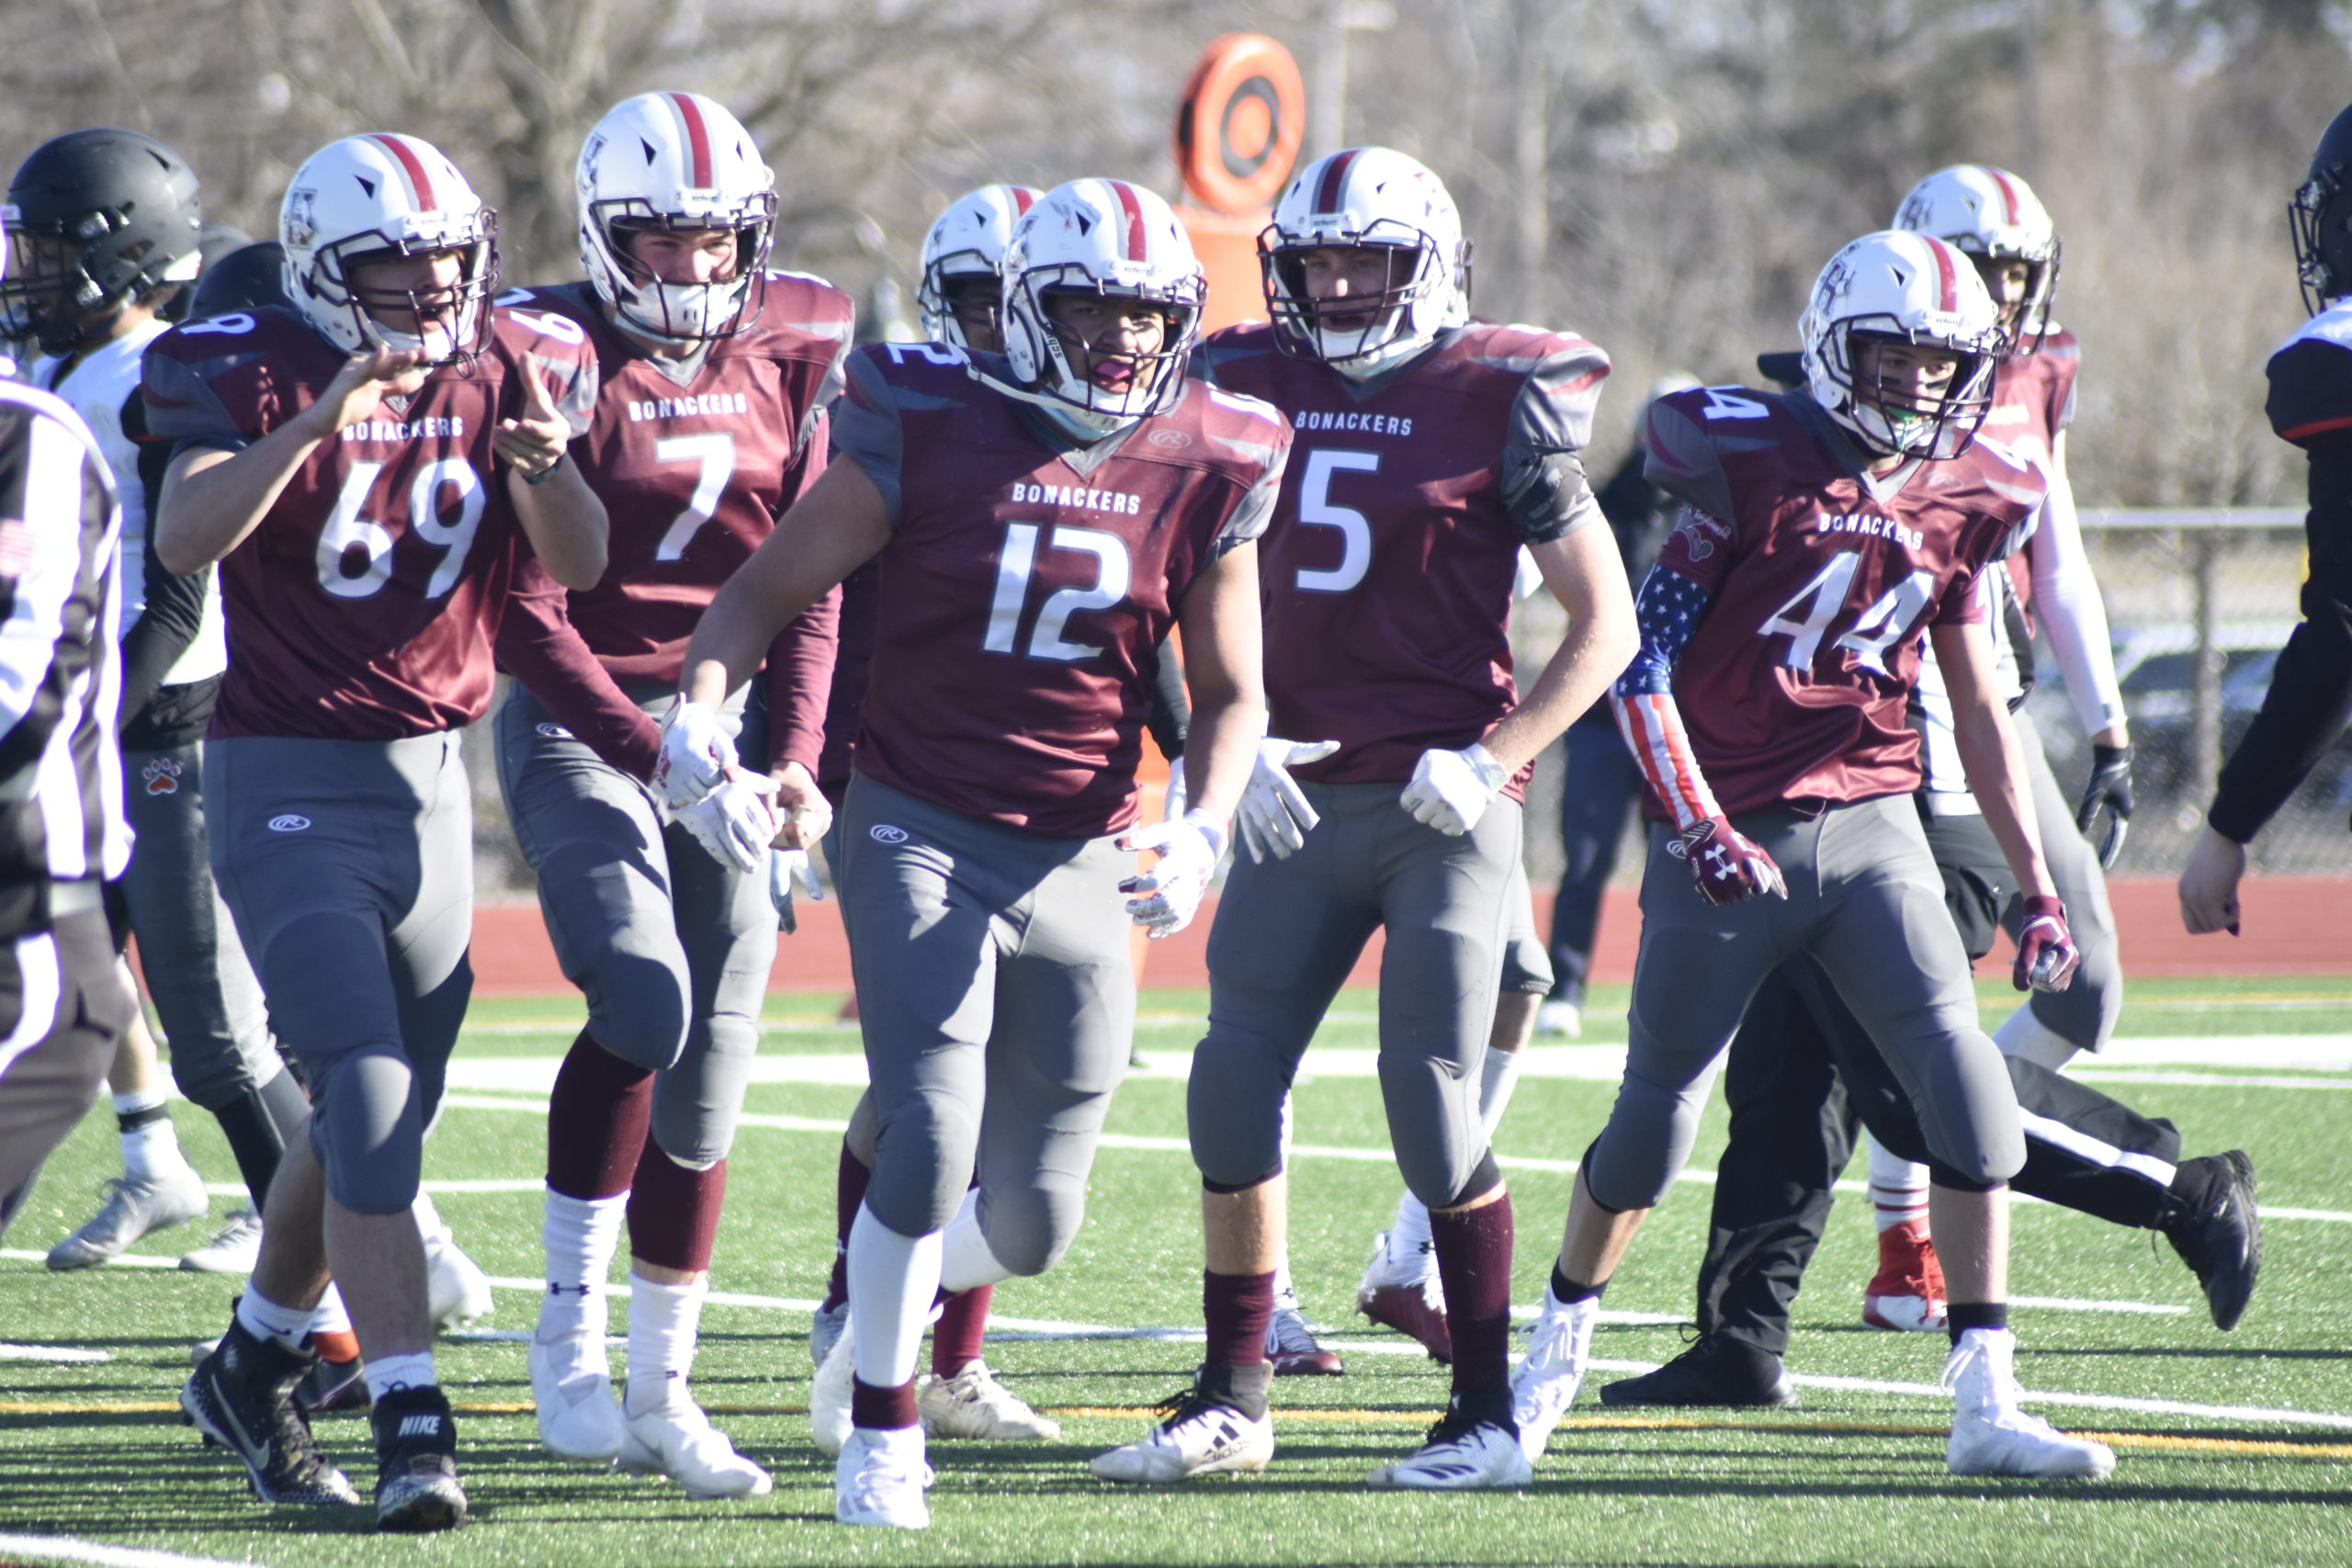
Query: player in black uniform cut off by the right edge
x: 2311, y: 688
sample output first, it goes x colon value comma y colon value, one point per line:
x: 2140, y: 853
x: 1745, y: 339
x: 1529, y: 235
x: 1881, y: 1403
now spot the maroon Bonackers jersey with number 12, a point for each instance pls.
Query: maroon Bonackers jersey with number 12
x: 1029, y: 582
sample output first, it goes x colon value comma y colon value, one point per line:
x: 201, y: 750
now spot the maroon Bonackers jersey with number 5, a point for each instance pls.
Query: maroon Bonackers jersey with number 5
x: 1389, y: 570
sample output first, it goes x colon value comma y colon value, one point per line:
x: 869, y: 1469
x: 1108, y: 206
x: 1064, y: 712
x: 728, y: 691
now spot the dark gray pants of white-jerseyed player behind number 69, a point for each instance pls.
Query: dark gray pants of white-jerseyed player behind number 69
x: 206, y: 991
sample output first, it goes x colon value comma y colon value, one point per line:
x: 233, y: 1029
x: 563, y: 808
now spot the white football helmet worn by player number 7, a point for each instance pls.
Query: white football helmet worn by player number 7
x: 676, y: 161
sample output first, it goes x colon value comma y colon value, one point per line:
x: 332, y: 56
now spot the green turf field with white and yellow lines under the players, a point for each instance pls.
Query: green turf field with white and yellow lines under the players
x: 2236, y: 1449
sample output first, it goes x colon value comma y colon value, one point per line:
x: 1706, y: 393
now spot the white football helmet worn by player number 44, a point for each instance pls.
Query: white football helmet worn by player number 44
x: 1911, y: 290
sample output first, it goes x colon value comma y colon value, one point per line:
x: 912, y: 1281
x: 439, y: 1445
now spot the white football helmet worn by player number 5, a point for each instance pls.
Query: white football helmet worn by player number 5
x: 1368, y: 199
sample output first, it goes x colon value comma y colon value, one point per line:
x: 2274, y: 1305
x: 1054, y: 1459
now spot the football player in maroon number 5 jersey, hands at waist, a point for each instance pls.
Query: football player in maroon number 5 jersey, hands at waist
x: 1426, y: 455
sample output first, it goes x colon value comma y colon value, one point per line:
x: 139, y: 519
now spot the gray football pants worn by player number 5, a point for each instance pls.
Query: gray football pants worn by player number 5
x: 1288, y: 934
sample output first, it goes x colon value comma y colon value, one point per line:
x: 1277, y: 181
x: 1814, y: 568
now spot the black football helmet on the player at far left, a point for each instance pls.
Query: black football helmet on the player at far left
x: 95, y: 220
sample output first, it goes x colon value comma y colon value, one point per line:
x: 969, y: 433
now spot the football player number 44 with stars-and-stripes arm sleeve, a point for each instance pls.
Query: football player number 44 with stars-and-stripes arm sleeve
x: 1779, y: 645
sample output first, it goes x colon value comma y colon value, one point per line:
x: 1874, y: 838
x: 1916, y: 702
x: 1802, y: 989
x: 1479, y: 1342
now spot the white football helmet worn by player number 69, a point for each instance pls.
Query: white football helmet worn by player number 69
x: 380, y: 196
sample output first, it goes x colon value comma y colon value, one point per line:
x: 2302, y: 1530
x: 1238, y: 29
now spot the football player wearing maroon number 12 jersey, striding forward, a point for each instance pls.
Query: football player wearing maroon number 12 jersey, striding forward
x: 1043, y: 518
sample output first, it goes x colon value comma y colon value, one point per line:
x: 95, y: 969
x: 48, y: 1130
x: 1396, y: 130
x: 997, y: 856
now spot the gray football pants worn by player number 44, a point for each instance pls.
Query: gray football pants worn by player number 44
x: 1866, y: 902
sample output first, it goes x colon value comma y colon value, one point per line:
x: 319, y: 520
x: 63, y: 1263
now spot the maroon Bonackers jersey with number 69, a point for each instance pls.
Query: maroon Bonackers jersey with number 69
x: 366, y: 603
